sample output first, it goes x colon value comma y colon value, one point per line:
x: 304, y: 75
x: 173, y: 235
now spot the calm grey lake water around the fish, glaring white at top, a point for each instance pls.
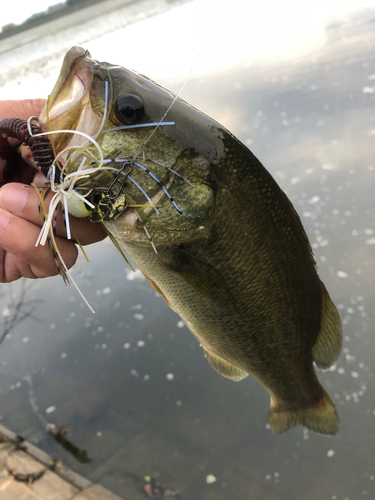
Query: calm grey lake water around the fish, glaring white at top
x: 297, y: 85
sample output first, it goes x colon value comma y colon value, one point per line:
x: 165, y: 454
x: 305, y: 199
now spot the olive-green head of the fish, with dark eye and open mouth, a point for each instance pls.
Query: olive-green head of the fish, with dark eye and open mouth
x: 168, y: 166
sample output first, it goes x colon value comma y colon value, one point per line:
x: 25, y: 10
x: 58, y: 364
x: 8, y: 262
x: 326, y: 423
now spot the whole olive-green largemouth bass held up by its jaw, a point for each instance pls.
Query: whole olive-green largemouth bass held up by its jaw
x: 209, y: 228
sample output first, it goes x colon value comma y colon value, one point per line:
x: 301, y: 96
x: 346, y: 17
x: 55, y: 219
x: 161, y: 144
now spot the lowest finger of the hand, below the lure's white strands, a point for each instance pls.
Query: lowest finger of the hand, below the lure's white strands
x: 17, y: 239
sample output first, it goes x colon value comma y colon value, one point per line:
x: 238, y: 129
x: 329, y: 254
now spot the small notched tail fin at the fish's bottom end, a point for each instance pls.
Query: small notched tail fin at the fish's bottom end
x: 321, y: 417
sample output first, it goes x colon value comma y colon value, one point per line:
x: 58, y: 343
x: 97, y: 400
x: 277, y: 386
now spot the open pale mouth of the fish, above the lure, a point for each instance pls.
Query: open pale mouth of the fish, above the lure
x: 69, y: 105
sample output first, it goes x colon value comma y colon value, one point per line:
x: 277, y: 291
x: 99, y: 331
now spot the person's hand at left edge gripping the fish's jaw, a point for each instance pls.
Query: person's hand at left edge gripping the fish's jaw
x: 20, y: 221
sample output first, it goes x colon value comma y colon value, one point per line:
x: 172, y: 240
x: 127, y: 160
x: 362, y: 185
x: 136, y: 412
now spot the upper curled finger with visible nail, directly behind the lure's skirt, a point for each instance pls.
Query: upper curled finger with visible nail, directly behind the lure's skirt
x: 23, y: 201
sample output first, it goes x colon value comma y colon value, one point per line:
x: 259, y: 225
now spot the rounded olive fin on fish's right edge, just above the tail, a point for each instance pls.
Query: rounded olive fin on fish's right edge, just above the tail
x: 327, y: 347
